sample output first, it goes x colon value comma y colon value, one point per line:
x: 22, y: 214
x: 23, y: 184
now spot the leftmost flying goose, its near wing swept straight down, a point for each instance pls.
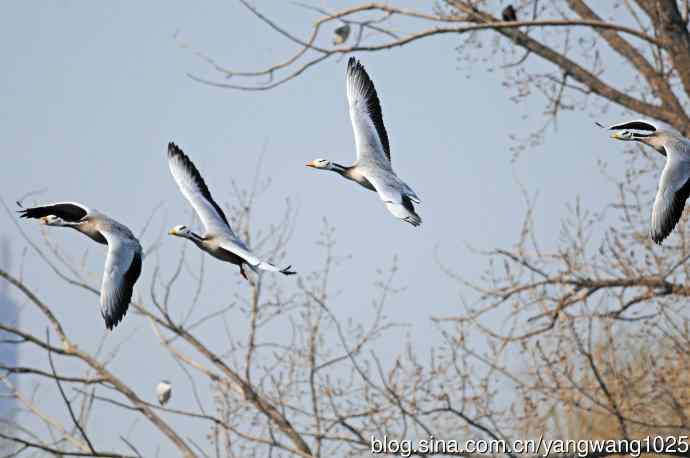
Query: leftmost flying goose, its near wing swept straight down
x: 123, y: 262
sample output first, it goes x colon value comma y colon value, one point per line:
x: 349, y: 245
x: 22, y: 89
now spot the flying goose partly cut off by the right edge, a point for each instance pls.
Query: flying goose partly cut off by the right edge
x: 674, y: 185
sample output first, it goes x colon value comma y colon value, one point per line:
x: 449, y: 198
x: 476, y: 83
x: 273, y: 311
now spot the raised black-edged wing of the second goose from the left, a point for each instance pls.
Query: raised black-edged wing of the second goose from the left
x: 196, y: 192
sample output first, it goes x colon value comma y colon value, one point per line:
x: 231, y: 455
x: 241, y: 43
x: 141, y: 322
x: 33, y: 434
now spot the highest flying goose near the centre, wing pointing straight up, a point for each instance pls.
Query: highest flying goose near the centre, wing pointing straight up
x: 372, y: 169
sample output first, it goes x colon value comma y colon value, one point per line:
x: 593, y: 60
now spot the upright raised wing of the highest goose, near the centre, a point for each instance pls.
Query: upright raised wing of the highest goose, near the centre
x: 371, y: 138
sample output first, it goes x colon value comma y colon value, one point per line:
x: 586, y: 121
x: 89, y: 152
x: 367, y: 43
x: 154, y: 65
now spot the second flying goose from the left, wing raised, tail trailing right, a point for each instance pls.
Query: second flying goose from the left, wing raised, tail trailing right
x: 218, y: 240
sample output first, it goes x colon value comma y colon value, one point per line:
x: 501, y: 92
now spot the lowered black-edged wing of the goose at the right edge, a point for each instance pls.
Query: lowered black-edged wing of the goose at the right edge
x: 673, y: 191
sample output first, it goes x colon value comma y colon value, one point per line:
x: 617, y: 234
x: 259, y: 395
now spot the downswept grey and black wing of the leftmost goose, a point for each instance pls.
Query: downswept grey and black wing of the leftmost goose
x: 122, y: 269
